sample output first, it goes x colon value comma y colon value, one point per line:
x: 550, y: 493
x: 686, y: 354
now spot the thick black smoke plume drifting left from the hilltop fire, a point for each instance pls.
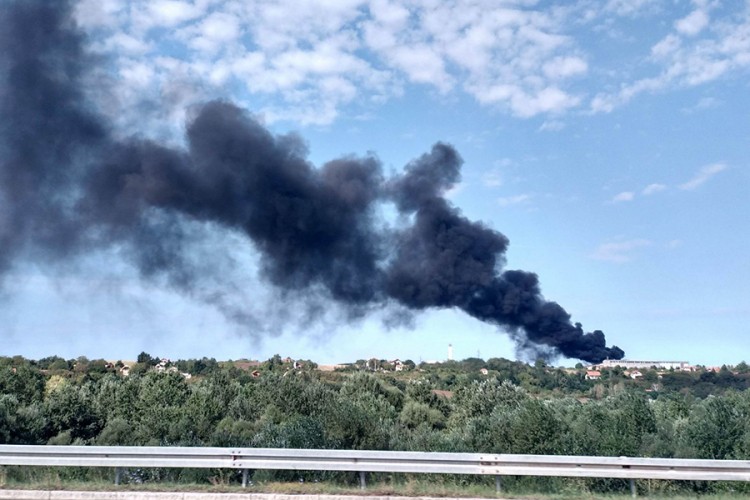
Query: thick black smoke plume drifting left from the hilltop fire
x: 67, y: 187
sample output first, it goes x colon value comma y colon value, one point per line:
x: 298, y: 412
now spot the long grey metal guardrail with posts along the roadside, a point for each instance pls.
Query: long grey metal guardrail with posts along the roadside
x: 498, y: 465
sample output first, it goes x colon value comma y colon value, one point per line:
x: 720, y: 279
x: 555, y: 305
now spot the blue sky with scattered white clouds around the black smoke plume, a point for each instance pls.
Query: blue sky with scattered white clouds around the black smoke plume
x: 608, y: 140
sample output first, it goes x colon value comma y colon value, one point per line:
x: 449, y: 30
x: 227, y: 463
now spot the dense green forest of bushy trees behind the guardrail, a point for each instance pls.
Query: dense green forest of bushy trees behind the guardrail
x: 497, y: 406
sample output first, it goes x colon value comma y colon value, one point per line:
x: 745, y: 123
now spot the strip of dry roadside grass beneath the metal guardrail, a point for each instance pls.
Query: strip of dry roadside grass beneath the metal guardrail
x: 384, y: 485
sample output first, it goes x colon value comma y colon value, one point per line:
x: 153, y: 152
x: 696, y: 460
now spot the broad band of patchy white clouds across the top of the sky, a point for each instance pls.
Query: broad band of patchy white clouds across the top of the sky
x: 518, y: 56
